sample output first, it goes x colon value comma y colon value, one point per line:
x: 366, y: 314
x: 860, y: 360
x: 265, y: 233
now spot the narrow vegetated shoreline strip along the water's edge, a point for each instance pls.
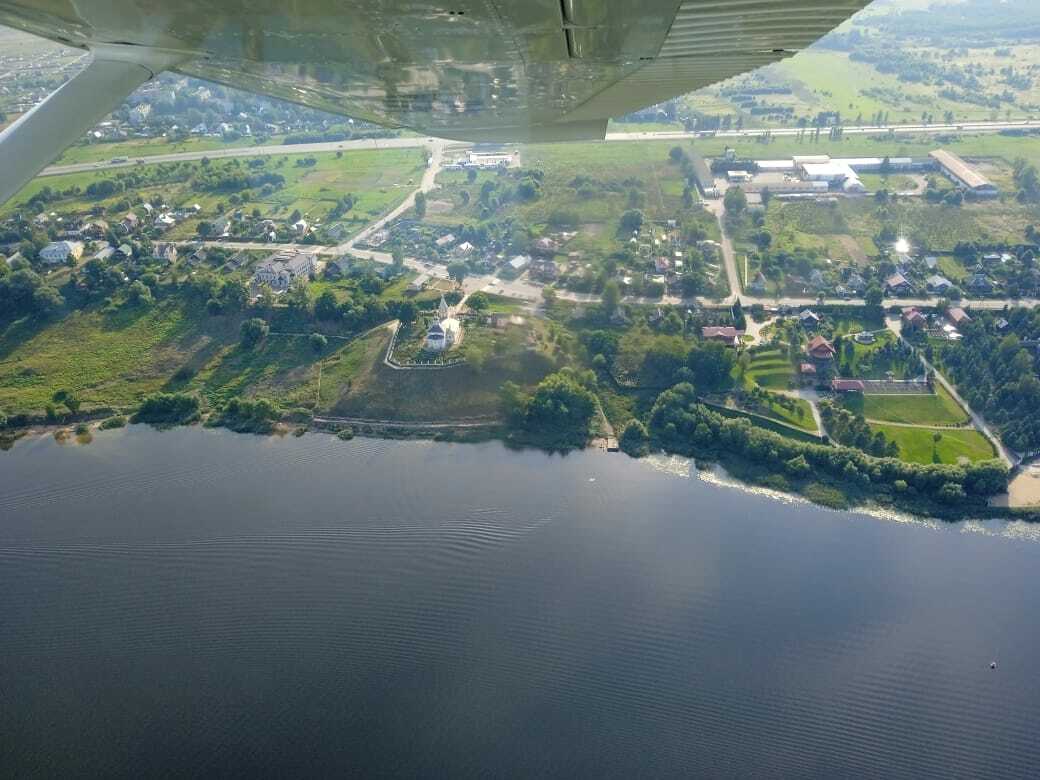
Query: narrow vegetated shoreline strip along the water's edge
x: 737, y: 473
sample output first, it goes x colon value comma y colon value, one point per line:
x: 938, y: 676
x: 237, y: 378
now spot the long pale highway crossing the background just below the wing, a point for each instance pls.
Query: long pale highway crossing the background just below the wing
x: 417, y: 142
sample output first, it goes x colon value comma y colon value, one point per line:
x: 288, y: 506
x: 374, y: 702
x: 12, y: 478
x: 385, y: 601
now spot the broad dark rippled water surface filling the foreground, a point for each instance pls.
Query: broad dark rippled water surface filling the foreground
x: 200, y: 604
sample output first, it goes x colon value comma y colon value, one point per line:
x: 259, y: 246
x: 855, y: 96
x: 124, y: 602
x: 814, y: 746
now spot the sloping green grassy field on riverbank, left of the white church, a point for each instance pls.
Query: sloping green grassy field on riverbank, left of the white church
x: 114, y: 359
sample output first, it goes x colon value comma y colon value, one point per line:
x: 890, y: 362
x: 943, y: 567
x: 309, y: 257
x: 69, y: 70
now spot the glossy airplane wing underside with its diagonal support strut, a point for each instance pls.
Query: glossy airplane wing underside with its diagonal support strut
x: 475, y: 70
